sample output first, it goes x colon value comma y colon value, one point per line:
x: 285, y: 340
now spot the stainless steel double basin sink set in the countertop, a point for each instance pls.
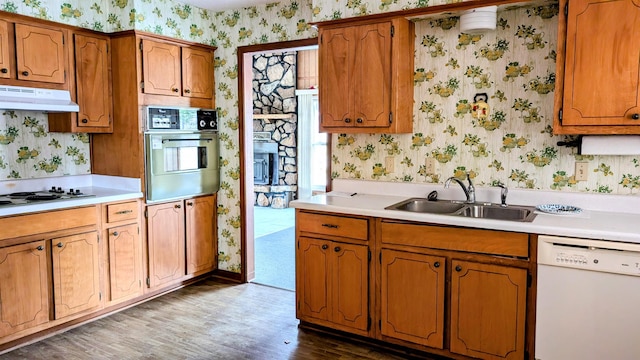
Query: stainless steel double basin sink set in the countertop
x: 475, y: 210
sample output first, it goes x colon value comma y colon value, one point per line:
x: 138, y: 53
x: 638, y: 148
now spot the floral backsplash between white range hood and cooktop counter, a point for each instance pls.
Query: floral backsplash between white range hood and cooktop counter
x: 28, y: 150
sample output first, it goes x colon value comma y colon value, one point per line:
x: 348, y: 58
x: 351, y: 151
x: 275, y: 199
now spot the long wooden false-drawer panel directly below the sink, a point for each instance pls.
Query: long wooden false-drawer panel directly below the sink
x: 457, y: 239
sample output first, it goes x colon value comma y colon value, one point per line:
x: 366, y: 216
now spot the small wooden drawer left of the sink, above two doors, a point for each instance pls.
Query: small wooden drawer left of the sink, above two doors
x: 333, y: 225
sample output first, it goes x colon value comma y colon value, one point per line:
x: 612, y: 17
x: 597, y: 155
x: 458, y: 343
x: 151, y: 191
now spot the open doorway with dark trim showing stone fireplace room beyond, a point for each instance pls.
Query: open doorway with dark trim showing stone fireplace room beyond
x: 276, y: 155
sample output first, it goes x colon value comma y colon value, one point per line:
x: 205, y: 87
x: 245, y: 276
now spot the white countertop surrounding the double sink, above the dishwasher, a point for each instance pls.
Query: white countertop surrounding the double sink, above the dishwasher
x: 604, y: 217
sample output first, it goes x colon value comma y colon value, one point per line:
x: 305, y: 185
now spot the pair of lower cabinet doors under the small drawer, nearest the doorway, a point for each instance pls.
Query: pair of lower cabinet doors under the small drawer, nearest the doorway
x: 333, y: 283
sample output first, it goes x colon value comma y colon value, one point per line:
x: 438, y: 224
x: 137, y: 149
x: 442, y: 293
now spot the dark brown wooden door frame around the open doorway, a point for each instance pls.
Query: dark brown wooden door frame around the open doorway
x: 247, y: 265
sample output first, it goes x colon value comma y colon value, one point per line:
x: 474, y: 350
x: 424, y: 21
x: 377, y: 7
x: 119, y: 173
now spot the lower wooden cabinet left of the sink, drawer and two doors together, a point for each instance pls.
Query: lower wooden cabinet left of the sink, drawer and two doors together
x: 332, y: 267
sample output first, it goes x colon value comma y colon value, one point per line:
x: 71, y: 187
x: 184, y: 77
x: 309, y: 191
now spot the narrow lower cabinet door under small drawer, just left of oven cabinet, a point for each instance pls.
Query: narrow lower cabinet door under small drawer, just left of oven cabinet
x: 125, y: 262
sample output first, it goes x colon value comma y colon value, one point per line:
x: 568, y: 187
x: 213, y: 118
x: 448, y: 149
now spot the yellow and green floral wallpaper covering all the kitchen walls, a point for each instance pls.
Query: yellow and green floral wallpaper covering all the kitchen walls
x: 514, y: 66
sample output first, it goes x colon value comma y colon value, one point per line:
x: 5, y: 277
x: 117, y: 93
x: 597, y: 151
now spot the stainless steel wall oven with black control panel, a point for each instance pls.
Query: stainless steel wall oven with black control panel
x: 181, y: 153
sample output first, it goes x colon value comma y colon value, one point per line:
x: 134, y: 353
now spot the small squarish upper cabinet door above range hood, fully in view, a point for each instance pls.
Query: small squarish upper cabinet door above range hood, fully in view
x: 40, y: 54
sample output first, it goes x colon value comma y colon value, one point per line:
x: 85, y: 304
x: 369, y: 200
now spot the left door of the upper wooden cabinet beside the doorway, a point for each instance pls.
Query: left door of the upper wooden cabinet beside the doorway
x: 336, y: 70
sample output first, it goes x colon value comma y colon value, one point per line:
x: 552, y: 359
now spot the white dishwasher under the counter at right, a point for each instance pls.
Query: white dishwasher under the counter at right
x: 588, y: 300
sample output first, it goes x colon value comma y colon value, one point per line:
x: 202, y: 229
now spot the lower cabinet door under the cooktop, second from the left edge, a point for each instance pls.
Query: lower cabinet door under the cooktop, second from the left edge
x: 76, y: 273
